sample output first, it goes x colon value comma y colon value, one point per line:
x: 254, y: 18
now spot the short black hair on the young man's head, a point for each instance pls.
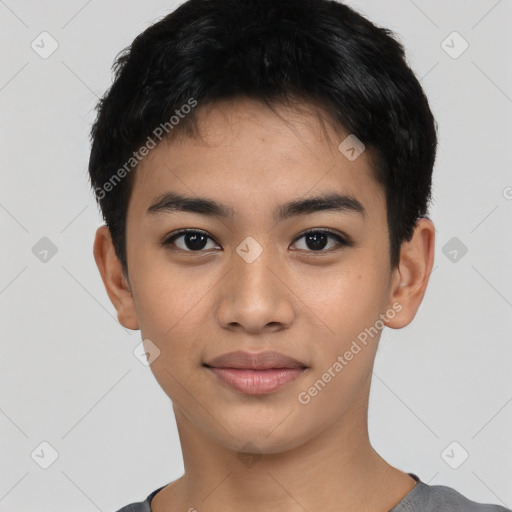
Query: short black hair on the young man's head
x: 319, y: 51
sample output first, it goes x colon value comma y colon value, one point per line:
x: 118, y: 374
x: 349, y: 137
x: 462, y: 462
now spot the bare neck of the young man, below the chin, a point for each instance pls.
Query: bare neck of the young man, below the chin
x: 337, y: 469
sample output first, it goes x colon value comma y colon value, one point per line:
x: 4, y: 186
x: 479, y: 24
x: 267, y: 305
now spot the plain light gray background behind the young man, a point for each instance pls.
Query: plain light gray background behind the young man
x: 68, y: 375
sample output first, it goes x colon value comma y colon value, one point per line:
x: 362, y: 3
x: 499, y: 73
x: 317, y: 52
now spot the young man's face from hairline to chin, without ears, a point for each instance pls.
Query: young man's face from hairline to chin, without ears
x: 254, y: 274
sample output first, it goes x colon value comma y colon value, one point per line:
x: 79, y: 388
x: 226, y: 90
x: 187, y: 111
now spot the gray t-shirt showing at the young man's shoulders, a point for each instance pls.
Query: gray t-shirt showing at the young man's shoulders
x: 422, y: 498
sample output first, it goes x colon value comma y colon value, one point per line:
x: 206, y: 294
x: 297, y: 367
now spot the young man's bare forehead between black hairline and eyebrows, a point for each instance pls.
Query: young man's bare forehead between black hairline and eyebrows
x: 249, y: 156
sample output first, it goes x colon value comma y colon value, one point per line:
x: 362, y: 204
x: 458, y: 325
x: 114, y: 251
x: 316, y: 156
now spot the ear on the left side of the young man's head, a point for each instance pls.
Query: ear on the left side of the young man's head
x: 116, y: 284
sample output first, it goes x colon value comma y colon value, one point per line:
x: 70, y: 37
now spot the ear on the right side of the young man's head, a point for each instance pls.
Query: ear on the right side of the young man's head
x: 410, y: 279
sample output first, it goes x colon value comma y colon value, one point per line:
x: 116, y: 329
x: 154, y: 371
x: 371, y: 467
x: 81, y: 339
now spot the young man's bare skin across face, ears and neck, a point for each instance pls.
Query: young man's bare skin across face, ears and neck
x: 310, y: 305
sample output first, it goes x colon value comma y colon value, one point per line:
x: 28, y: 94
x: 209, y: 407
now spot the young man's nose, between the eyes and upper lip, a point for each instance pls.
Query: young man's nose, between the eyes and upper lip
x: 255, y: 296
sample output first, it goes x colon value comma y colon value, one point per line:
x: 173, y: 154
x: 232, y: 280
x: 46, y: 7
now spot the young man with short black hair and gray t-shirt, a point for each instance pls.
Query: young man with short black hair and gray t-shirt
x: 264, y: 172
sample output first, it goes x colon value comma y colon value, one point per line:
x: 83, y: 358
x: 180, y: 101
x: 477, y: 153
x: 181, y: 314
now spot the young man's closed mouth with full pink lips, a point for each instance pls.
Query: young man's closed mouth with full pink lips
x: 255, y: 373
